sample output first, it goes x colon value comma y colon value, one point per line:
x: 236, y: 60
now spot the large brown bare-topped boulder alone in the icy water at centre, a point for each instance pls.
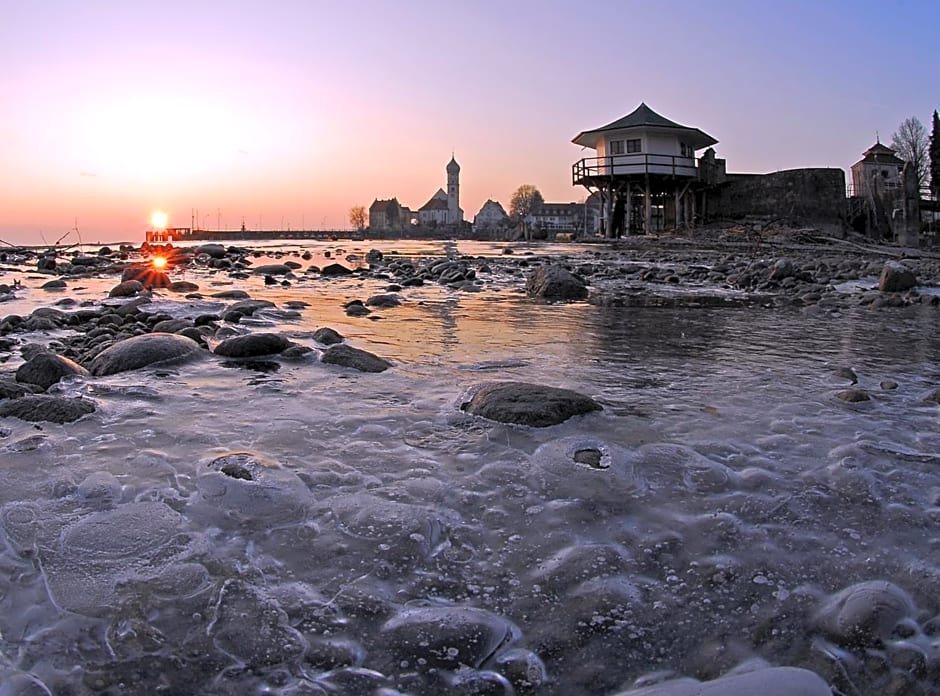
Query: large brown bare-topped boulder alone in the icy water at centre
x: 528, y: 404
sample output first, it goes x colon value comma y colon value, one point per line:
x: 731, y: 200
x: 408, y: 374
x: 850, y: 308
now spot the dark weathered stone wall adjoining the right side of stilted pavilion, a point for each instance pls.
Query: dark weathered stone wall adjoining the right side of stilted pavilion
x: 803, y: 196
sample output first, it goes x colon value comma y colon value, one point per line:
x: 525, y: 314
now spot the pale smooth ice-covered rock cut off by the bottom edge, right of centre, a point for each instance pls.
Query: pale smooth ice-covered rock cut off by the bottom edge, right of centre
x: 769, y: 681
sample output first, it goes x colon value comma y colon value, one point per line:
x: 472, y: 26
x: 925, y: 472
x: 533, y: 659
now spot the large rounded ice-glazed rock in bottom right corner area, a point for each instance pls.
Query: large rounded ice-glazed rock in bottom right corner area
x: 864, y: 614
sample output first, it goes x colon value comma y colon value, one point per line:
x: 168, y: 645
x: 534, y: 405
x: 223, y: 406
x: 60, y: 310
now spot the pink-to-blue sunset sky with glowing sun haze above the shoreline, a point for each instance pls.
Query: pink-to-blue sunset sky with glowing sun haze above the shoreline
x: 286, y: 113
